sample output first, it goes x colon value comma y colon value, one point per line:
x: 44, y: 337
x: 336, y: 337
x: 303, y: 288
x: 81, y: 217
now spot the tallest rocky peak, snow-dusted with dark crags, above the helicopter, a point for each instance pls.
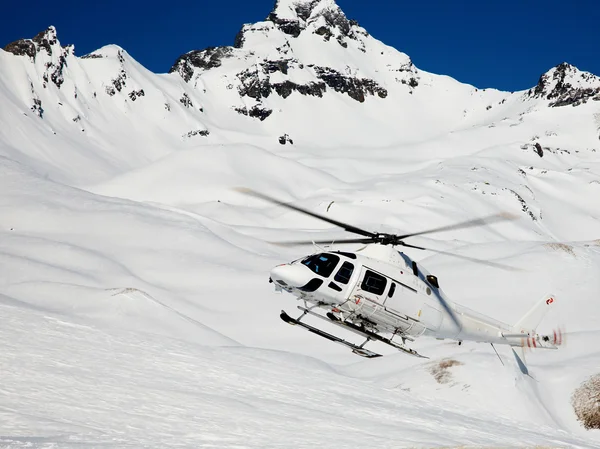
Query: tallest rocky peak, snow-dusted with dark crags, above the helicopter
x: 276, y: 60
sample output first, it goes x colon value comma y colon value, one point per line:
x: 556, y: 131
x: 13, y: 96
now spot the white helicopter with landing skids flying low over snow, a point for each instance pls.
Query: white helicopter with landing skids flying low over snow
x: 382, y: 295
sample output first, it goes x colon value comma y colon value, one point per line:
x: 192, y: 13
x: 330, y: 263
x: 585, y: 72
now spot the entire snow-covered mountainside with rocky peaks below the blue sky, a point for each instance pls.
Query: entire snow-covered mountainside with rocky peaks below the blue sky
x: 134, y: 303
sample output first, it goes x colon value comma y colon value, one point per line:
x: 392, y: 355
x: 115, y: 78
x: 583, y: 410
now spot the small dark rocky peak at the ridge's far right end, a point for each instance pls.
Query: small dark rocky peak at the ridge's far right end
x: 566, y: 85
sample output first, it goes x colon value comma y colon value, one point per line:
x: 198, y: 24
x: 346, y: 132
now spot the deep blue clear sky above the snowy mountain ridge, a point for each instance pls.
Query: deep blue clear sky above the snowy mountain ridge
x: 488, y: 43
